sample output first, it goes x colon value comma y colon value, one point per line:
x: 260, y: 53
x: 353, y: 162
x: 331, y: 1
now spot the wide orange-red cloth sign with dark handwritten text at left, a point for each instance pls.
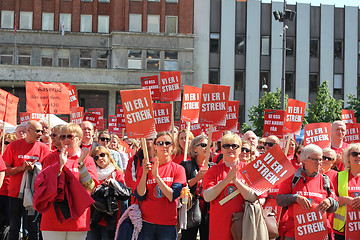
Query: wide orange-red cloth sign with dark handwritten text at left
x: 43, y: 97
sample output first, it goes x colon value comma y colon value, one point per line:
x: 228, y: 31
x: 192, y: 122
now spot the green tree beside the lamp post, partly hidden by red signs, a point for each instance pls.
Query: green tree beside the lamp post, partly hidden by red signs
x: 270, y: 100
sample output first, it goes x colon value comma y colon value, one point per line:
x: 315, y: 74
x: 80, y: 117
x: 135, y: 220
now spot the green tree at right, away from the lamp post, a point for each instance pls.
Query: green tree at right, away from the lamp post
x: 326, y: 108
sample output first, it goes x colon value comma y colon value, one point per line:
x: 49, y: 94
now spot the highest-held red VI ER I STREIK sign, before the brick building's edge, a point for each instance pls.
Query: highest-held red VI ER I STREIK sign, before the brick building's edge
x: 170, y: 85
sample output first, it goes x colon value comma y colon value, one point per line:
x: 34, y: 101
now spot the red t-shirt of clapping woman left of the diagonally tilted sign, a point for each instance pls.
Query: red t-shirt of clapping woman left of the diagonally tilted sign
x: 220, y: 216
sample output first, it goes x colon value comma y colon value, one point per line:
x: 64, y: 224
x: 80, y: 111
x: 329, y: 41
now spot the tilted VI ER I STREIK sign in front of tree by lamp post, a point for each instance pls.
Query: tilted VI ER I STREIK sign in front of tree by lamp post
x: 294, y: 116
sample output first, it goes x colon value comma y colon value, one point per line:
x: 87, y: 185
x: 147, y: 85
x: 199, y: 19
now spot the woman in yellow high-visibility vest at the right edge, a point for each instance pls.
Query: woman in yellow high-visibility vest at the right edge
x: 348, y: 189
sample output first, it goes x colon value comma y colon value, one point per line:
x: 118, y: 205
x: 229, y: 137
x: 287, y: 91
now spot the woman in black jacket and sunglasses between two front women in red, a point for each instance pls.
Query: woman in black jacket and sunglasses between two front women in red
x: 195, y: 173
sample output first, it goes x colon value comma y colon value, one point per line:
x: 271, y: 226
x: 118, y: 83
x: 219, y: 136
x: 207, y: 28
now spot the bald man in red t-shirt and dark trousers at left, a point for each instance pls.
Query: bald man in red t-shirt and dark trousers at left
x: 20, y: 156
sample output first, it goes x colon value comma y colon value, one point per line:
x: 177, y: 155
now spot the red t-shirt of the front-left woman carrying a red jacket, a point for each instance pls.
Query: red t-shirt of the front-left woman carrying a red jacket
x: 49, y: 221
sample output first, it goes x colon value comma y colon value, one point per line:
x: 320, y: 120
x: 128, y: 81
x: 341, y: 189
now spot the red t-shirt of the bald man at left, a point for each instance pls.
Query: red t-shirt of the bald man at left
x: 16, y: 154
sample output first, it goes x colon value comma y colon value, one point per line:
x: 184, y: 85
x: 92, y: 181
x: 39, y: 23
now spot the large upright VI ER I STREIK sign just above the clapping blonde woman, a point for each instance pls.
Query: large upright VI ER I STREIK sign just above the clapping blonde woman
x: 214, y: 103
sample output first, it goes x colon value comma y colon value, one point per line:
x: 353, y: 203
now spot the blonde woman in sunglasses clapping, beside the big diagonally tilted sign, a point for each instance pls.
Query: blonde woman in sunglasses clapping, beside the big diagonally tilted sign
x: 219, y: 182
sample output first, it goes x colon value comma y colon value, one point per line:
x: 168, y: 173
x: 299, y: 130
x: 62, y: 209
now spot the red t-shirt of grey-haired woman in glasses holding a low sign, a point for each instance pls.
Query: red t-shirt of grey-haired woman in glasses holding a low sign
x: 312, y: 189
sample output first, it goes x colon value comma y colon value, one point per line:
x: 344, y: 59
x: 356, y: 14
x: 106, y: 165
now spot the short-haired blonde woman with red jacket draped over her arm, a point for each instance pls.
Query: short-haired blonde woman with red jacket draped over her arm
x: 83, y: 168
